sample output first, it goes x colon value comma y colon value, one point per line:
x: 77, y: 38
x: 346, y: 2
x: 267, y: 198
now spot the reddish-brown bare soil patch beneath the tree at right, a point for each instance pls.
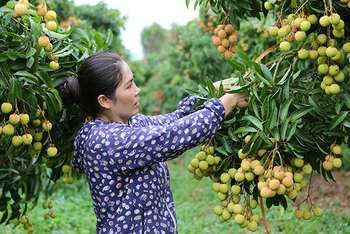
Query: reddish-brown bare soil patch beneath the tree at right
x: 329, y: 193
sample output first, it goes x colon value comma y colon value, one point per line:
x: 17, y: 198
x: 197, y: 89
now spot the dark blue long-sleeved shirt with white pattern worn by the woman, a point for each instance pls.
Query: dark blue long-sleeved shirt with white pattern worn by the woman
x: 125, y: 165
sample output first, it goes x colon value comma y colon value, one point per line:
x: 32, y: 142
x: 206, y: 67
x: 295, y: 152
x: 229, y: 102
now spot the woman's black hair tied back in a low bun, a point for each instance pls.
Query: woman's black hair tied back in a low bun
x: 98, y: 74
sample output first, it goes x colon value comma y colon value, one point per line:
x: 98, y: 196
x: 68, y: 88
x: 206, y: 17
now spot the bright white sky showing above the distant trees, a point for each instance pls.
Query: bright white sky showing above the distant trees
x: 141, y: 13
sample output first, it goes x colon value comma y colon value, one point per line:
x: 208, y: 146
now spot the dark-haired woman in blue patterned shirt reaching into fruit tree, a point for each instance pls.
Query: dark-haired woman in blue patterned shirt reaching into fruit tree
x: 123, y: 154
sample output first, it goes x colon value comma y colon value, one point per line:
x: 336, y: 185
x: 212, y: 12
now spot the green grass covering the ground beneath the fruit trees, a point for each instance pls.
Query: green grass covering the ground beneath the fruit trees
x: 194, y: 202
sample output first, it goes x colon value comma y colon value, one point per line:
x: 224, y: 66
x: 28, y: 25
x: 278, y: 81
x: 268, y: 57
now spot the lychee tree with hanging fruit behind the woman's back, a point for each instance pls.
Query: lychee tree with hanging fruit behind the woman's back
x: 36, y: 130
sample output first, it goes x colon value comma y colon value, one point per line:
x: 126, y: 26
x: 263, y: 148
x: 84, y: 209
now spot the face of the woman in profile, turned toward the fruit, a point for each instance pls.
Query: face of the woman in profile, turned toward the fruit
x: 125, y: 103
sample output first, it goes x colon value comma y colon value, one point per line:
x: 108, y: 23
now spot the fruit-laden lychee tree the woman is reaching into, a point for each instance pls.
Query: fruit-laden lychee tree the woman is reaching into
x: 298, y: 114
